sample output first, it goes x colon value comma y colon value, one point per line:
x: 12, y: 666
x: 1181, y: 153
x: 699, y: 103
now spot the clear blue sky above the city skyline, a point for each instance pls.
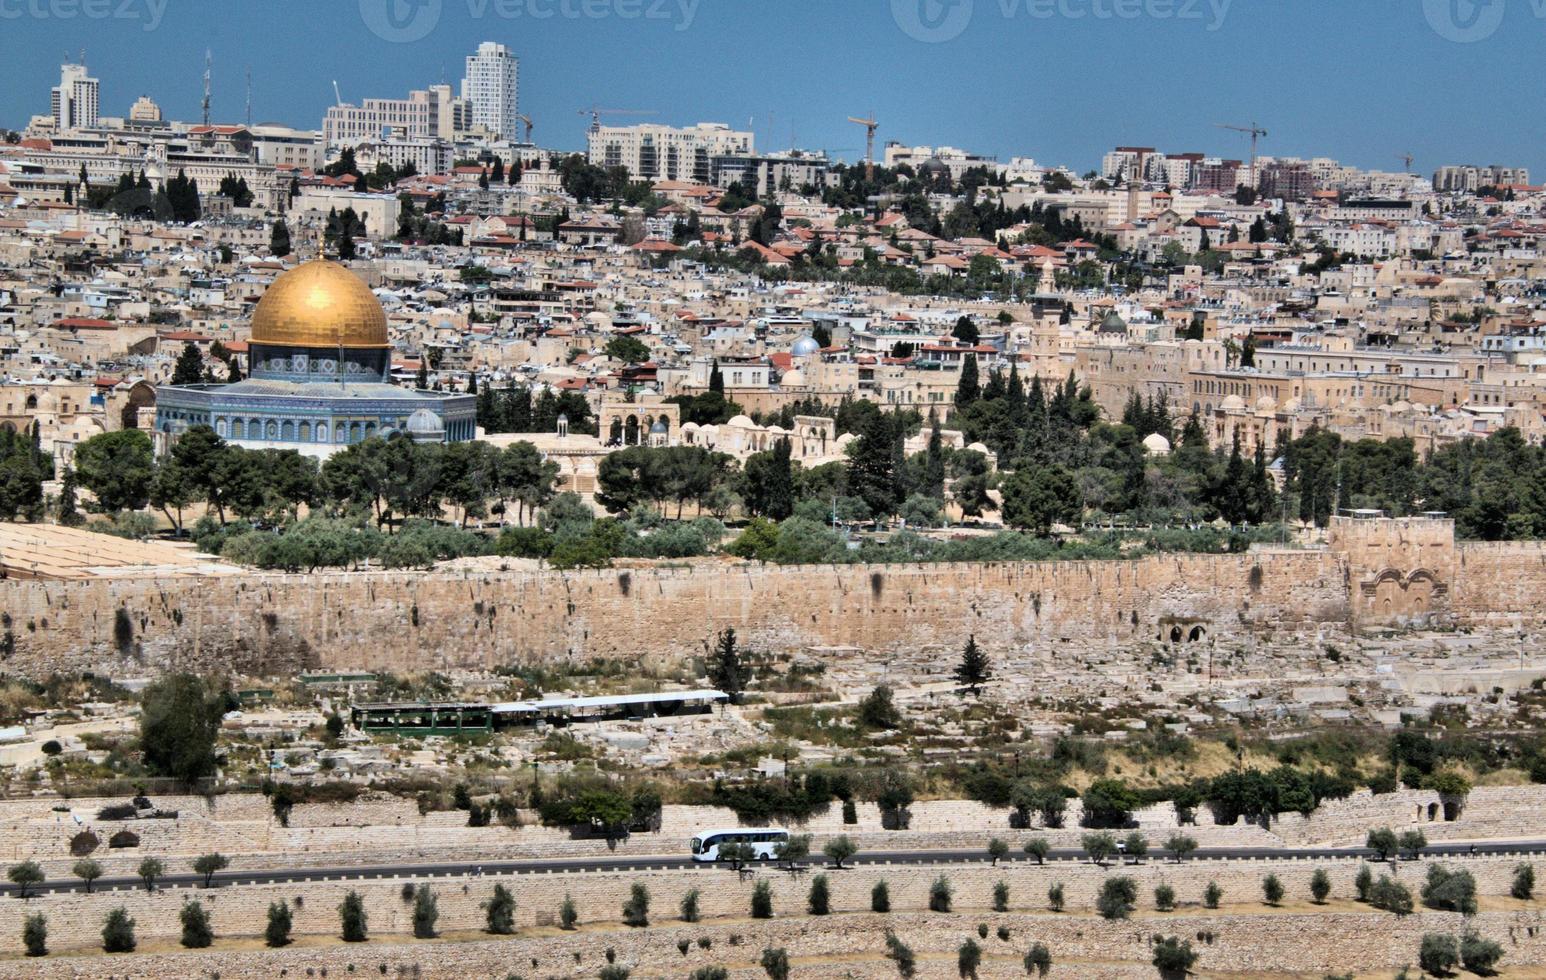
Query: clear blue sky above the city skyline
x: 1363, y: 81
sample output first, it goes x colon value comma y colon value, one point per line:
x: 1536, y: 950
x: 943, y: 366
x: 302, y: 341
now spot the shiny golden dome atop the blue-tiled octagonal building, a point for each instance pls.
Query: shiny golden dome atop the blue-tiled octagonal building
x: 321, y: 305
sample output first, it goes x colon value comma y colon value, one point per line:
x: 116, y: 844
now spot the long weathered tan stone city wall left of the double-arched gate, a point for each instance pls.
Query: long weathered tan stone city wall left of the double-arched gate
x: 395, y: 622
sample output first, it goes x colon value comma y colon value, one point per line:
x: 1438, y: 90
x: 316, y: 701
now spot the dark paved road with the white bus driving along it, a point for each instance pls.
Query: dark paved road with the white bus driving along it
x: 675, y: 863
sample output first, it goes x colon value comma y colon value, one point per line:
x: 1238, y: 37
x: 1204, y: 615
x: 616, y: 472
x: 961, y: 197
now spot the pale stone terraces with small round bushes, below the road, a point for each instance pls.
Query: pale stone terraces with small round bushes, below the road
x: 1248, y: 936
